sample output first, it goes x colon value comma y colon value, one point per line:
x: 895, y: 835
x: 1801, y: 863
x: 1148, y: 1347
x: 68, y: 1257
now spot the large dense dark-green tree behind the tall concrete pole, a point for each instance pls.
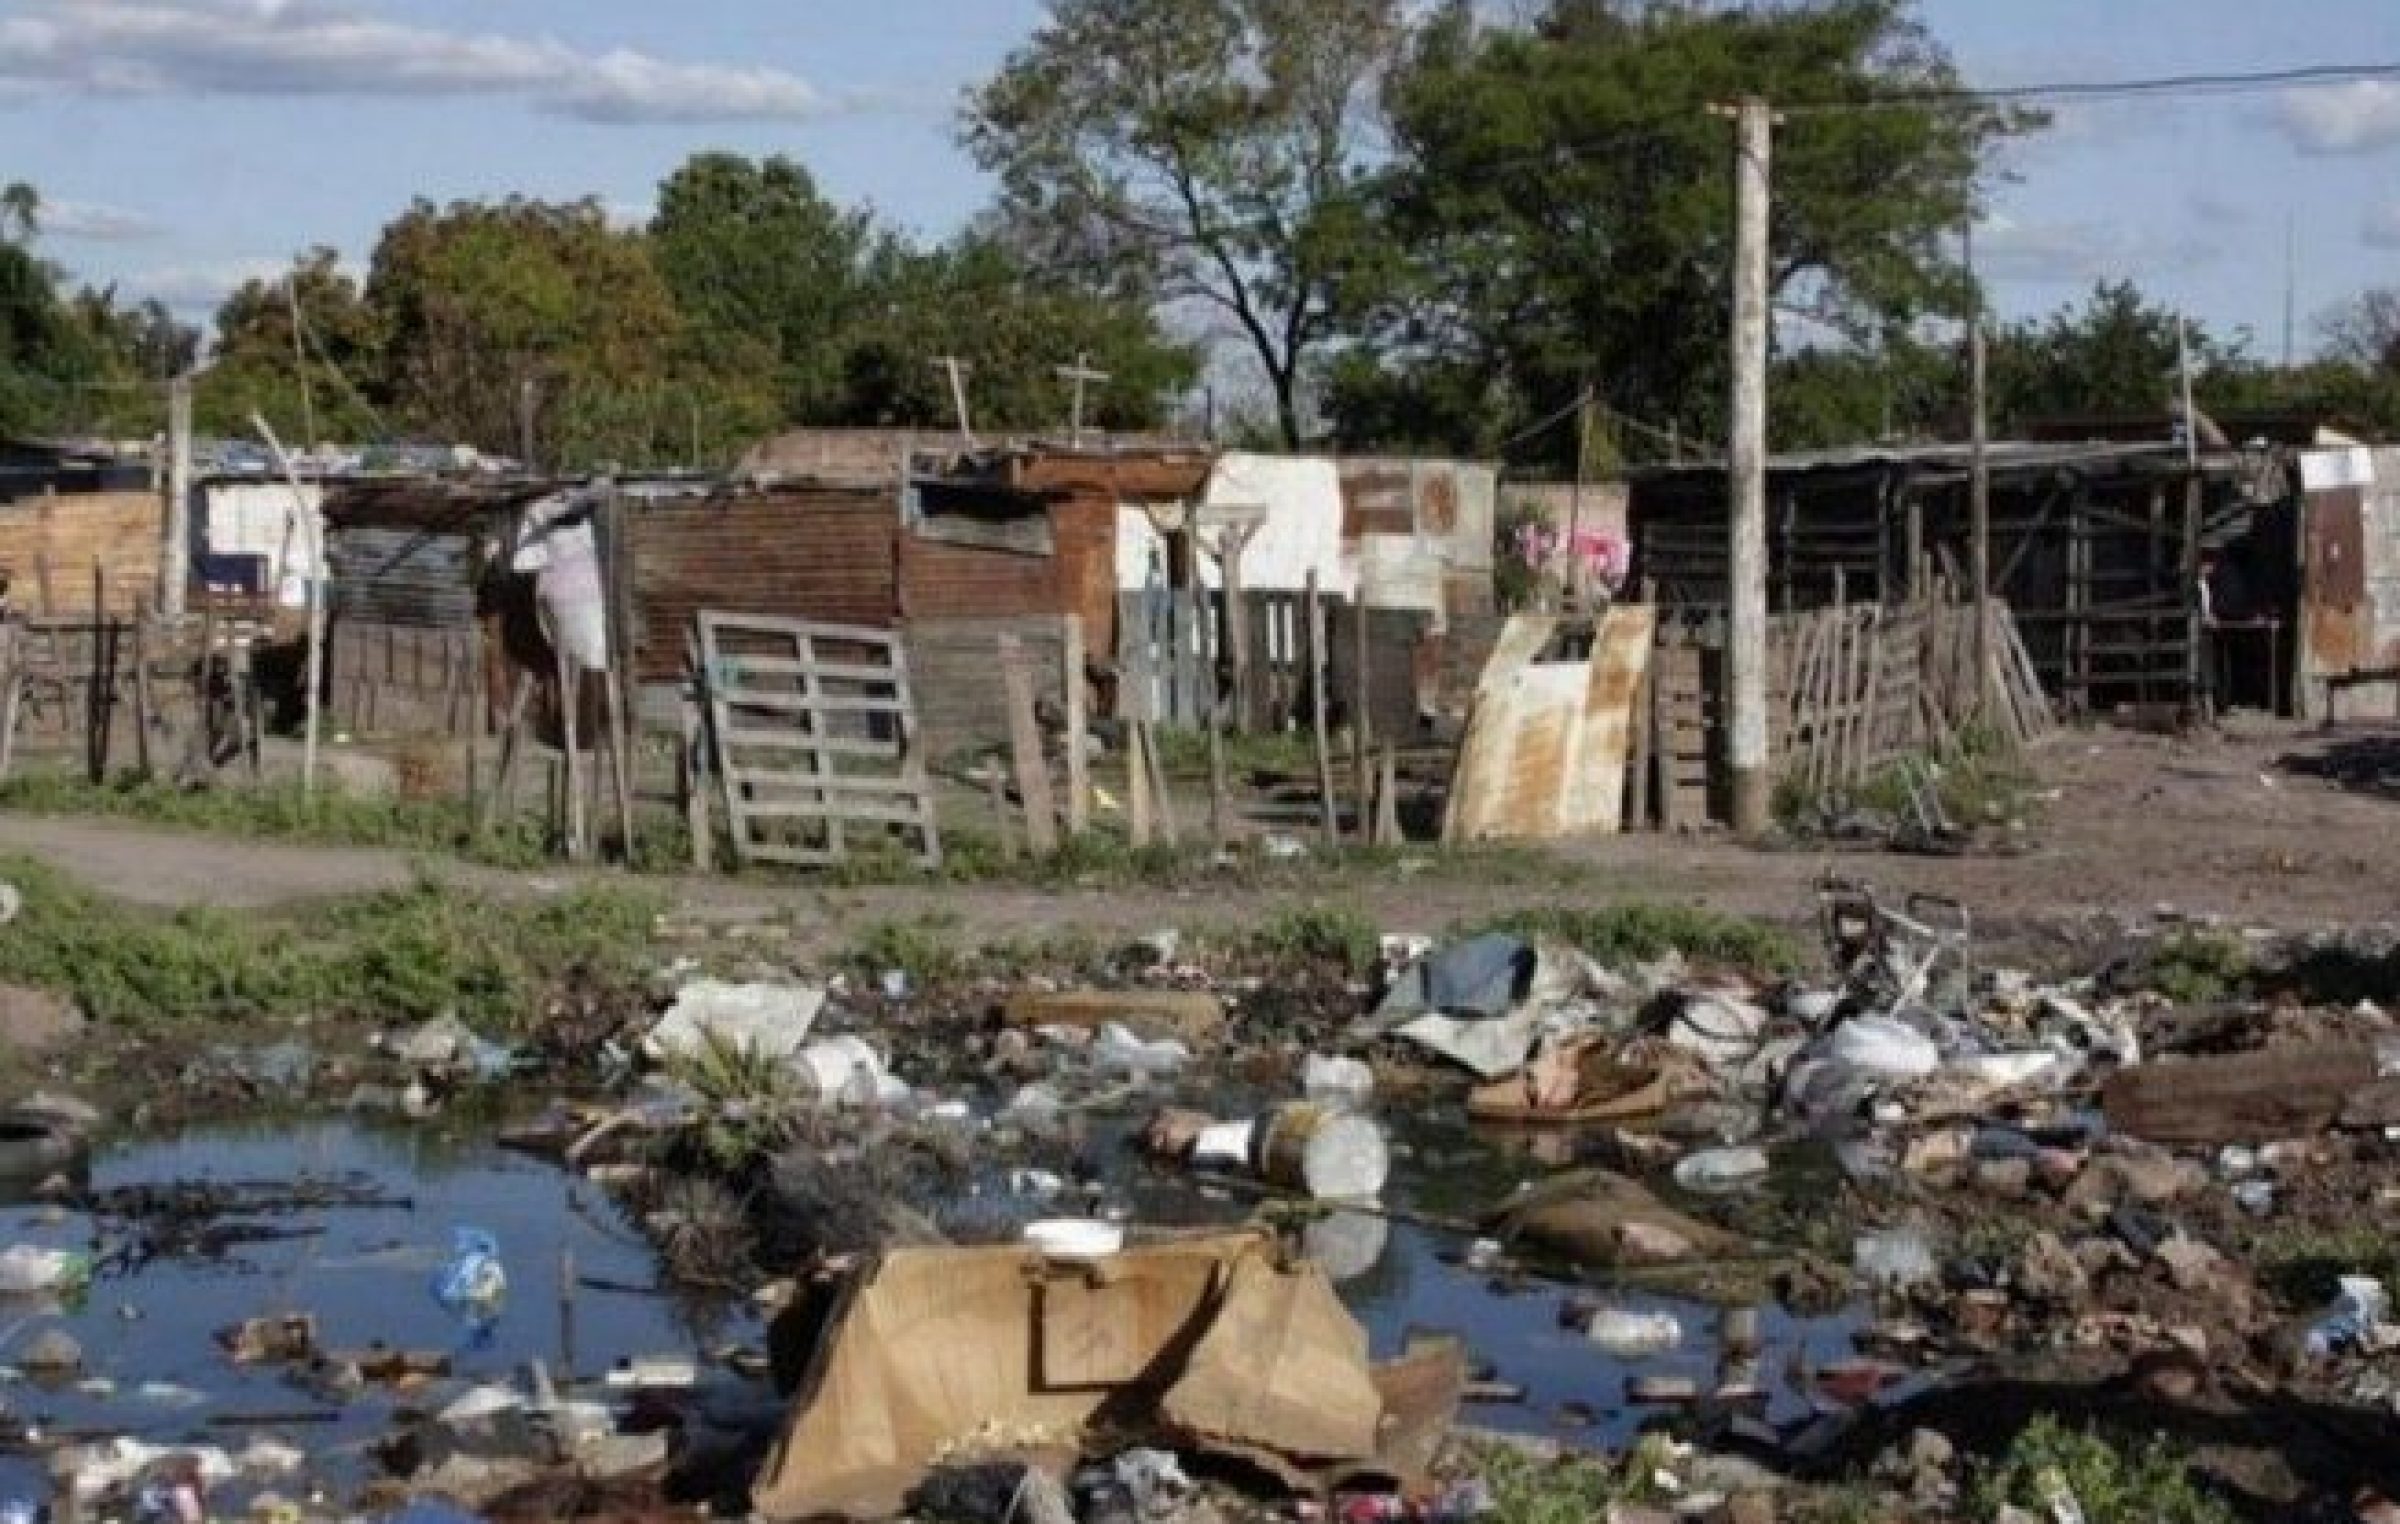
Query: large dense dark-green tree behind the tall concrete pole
x: 1564, y: 205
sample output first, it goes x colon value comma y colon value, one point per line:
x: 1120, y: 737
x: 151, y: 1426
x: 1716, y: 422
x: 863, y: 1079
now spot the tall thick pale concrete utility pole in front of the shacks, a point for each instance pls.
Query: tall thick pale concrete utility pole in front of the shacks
x: 1746, y: 472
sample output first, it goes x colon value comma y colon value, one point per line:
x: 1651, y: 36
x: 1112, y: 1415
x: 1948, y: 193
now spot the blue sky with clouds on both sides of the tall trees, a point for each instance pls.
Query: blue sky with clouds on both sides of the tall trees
x: 191, y: 143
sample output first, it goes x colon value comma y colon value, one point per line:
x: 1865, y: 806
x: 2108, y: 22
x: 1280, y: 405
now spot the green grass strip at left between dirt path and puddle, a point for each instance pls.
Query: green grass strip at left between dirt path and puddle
x: 407, y: 954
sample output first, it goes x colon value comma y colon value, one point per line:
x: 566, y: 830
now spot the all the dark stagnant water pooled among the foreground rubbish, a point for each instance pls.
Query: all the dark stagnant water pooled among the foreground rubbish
x: 155, y: 1367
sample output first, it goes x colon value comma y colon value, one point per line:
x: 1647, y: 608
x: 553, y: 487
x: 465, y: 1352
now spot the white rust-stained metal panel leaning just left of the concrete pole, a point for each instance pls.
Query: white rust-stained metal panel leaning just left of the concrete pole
x: 1549, y: 740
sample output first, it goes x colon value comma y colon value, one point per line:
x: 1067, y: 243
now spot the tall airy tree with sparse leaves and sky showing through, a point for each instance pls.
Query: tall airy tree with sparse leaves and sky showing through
x: 1199, y: 152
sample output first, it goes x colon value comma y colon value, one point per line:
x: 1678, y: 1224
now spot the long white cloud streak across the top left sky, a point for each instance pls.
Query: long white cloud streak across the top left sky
x: 347, y: 49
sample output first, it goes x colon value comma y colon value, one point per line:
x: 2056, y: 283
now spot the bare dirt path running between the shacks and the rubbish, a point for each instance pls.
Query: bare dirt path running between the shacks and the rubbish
x: 2264, y: 827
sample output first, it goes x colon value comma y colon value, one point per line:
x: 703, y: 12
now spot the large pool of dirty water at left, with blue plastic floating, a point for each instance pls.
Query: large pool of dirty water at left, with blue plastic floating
x: 366, y: 1273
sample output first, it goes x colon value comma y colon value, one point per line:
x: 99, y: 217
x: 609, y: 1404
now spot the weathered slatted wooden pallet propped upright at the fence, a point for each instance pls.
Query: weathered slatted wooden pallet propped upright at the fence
x: 815, y: 736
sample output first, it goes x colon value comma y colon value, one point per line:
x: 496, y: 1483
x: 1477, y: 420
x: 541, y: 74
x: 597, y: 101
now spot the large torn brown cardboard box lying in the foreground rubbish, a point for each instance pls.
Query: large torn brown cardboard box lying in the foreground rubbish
x: 1199, y: 1343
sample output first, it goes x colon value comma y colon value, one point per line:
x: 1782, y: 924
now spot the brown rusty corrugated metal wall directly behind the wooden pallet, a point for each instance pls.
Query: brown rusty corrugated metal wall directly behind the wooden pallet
x: 796, y: 556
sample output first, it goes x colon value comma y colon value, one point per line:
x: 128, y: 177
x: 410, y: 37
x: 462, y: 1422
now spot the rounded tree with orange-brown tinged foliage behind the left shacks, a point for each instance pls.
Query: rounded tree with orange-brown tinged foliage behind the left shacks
x: 493, y: 306
